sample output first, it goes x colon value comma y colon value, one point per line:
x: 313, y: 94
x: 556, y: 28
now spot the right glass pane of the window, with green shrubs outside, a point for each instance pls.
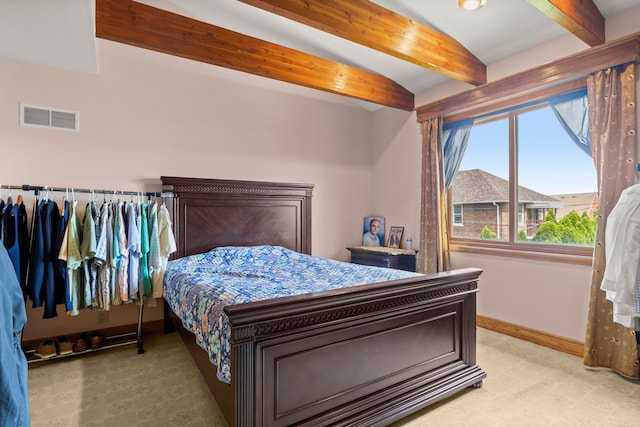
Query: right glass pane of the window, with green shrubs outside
x: 554, y: 176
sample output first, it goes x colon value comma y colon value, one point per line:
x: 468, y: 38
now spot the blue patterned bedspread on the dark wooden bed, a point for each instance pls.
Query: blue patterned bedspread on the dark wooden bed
x: 198, y: 287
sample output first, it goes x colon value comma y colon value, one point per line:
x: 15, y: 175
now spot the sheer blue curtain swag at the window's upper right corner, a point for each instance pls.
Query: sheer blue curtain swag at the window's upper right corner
x: 572, y: 110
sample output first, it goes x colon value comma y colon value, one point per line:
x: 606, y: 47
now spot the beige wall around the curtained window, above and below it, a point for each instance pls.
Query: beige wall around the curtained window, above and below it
x: 547, y: 296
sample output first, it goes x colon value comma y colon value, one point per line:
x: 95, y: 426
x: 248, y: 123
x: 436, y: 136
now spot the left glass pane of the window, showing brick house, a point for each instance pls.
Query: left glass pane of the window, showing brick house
x: 481, y: 186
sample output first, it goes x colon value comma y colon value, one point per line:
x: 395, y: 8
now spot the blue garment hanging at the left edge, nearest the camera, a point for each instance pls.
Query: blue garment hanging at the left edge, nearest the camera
x: 14, y: 398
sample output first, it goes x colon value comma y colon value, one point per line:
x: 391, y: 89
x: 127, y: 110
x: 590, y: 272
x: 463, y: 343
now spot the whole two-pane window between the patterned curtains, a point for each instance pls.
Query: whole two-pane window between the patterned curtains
x: 523, y: 183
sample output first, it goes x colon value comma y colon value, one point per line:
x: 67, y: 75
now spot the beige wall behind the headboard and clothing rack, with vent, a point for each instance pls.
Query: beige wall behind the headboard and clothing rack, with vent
x: 145, y: 115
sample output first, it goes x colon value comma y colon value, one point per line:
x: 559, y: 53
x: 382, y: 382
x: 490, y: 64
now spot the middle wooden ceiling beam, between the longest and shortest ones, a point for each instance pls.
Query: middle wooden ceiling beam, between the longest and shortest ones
x: 371, y: 25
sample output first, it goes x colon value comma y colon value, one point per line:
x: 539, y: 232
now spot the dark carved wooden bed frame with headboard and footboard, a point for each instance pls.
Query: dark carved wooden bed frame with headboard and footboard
x: 362, y: 356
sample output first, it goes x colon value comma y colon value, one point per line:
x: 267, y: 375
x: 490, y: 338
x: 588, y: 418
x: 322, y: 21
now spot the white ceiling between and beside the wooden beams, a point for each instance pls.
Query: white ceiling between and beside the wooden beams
x: 60, y: 33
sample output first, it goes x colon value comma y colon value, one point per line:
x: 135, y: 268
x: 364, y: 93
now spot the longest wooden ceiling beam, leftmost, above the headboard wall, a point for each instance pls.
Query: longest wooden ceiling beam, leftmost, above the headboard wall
x: 147, y: 27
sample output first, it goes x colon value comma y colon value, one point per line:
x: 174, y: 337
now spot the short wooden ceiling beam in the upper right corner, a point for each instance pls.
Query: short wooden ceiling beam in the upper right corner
x: 582, y: 18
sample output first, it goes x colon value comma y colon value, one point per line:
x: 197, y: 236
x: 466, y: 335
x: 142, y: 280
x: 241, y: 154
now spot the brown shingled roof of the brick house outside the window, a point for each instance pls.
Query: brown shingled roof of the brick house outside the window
x: 478, y: 186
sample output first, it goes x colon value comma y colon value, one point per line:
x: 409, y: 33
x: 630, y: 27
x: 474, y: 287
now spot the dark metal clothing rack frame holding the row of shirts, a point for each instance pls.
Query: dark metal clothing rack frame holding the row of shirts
x: 118, y: 340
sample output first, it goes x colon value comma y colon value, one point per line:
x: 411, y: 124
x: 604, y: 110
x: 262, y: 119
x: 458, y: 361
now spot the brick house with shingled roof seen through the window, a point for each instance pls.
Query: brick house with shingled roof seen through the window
x: 481, y: 200
